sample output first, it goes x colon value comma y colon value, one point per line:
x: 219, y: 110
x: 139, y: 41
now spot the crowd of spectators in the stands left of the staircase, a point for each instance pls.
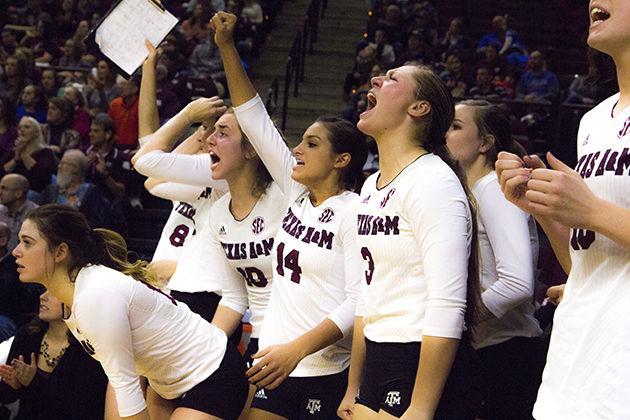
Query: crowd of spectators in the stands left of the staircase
x: 69, y: 122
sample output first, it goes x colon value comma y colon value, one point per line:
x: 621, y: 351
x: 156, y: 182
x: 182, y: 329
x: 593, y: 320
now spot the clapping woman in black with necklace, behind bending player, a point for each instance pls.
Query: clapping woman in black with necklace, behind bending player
x: 49, y: 372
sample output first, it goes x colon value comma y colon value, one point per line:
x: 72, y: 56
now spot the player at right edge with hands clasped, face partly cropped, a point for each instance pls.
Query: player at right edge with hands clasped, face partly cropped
x: 586, y: 215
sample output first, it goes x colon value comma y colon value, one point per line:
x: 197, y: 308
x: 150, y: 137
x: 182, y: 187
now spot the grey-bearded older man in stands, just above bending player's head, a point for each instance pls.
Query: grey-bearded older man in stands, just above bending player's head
x: 69, y: 187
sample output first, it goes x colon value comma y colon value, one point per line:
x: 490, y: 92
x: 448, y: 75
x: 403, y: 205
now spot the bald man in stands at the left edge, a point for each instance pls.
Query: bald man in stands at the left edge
x: 14, y: 204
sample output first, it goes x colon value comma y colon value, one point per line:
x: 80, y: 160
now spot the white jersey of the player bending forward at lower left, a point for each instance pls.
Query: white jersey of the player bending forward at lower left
x: 134, y: 330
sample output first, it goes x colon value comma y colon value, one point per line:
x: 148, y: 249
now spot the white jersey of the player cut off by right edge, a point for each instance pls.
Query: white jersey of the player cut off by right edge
x: 587, y: 375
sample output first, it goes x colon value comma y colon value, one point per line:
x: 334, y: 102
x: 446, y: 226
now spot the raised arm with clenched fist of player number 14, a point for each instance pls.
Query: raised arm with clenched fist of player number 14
x: 249, y: 109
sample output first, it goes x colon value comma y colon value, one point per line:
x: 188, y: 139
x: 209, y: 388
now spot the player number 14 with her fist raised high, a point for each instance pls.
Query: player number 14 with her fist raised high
x: 301, y: 367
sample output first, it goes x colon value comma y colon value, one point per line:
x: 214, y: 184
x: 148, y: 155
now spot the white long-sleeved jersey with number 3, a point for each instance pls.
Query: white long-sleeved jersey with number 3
x: 415, y: 236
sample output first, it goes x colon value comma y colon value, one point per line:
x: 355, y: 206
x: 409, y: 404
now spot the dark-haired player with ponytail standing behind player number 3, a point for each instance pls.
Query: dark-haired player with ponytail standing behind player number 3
x: 506, y: 336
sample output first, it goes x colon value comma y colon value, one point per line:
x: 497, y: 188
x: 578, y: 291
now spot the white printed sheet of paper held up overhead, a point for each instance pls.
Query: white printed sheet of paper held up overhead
x: 122, y: 33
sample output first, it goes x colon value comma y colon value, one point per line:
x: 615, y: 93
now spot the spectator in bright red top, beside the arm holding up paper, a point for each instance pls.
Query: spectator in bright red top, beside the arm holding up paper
x: 124, y: 112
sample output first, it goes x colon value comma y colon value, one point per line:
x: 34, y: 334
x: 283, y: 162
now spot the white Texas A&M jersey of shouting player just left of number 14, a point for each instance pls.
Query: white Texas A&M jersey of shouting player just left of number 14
x: 246, y: 247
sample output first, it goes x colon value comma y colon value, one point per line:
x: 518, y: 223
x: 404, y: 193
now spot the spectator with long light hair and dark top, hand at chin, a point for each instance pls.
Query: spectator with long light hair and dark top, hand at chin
x: 32, y: 157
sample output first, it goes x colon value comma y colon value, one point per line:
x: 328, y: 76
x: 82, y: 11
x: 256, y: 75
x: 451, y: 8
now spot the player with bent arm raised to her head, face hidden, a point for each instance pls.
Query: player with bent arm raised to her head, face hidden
x: 194, y: 280
